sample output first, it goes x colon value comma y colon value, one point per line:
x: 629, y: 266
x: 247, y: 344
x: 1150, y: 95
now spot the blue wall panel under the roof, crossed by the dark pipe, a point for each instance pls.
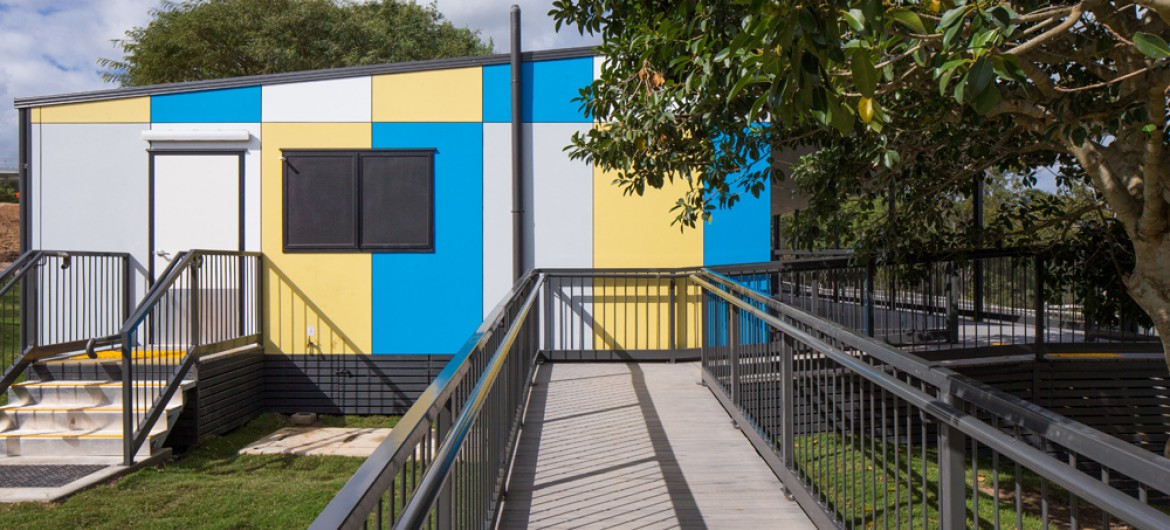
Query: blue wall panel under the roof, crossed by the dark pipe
x: 549, y: 91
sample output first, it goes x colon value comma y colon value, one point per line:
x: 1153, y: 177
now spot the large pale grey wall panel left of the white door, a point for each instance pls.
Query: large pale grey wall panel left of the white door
x: 93, y: 191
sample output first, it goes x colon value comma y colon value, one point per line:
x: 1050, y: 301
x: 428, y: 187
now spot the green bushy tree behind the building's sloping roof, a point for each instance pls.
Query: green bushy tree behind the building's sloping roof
x: 210, y: 39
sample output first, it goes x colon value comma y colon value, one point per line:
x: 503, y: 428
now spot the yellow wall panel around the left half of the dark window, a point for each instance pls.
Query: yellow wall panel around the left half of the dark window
x: 328, y: 292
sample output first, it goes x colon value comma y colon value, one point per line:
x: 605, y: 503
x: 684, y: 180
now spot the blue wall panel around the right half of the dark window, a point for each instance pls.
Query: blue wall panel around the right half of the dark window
x: 432, y: 302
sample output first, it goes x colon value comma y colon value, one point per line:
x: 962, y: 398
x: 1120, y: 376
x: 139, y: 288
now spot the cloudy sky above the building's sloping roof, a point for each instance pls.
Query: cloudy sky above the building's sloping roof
x: 51, y: 47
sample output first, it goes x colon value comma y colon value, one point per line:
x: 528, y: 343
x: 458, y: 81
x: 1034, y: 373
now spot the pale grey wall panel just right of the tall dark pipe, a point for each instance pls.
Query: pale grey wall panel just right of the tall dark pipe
x: 560, y: 201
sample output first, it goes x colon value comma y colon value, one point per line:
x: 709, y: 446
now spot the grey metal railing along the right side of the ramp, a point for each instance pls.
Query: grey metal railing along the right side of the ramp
x: 865, y: 436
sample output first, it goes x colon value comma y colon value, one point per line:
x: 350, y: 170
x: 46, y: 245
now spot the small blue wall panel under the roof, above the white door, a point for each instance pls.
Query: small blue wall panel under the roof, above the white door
x: 228, y: 106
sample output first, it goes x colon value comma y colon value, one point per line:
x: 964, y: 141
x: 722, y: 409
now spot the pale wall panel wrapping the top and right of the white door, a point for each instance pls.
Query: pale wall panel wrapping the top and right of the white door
x: 251, y: 168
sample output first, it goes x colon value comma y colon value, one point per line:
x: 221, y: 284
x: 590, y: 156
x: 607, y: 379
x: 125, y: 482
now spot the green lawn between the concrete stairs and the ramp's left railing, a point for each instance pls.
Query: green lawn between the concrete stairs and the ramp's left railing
x: 210, y: 487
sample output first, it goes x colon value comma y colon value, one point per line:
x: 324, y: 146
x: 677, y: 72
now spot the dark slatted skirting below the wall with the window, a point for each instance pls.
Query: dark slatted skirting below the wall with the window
x: 348, y: 384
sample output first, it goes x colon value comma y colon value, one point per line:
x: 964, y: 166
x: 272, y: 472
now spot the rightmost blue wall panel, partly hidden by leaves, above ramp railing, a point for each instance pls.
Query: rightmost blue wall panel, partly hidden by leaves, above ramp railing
x: 741, y: 235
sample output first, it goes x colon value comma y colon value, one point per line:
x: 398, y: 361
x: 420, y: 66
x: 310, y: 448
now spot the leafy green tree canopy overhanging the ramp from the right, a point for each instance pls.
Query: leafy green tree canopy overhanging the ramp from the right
x: 917, y: 98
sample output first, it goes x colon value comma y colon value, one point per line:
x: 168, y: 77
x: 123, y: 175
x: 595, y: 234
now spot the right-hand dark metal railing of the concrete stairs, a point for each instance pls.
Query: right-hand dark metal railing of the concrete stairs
x: 207, y: 302
